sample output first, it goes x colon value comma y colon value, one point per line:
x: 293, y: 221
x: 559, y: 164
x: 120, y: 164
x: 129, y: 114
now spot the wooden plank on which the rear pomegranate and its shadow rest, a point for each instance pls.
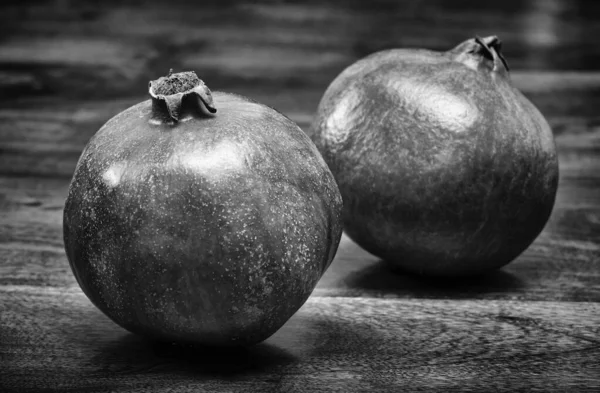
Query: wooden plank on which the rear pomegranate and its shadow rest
x: 562, y: 264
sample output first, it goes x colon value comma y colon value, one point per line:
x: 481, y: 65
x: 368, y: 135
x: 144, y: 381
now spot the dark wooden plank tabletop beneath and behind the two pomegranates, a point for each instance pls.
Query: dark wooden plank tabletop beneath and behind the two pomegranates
x: 66, y: 67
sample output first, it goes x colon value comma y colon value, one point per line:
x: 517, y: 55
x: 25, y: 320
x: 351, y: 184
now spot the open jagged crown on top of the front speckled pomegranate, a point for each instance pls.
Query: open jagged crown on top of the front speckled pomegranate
x: 177, y: 93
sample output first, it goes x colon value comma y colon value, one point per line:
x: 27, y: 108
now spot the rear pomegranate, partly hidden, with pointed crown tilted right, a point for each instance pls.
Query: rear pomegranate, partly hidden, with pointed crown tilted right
x: 445, y: 168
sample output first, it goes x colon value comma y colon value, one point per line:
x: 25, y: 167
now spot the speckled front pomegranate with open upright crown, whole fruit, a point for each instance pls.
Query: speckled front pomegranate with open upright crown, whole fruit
x: 200, y: 218
